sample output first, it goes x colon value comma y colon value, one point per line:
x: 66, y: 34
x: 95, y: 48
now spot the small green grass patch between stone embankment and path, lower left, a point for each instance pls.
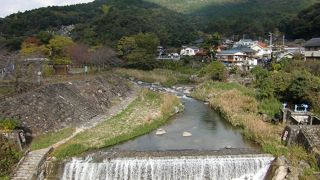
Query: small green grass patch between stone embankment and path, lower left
x: 46, y: 140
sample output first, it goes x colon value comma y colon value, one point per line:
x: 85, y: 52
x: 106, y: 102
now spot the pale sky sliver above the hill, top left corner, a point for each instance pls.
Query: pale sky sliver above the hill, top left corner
x: 8, y: 7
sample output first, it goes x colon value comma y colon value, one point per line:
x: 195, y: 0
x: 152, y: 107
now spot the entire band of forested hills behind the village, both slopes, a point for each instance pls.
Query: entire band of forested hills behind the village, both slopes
x: 175, y: 23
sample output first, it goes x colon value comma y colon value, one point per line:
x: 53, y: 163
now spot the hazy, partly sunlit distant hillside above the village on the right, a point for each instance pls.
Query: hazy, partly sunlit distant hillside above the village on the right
x: 237, y: 17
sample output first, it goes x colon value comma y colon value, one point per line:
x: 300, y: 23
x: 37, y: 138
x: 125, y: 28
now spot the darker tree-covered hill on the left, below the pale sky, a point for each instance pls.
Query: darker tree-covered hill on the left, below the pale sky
x: 99, y: 22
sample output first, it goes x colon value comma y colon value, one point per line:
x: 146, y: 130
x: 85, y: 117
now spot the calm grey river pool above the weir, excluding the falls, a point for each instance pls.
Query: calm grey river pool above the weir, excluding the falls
x: 209, y: 132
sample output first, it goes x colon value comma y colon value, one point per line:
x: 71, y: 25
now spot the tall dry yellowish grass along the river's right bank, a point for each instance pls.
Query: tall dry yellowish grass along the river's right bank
x: 239, y: 106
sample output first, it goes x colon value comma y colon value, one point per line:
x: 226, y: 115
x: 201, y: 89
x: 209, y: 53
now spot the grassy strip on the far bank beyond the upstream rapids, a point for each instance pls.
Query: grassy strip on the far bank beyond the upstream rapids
x: 163, y: 76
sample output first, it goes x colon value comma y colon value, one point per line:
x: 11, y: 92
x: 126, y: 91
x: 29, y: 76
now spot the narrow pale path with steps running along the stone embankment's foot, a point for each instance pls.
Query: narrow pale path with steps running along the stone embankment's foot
x: 30, y: 166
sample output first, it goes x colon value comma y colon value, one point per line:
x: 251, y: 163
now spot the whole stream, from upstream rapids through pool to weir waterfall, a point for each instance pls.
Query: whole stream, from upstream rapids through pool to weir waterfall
x: 209, y: 133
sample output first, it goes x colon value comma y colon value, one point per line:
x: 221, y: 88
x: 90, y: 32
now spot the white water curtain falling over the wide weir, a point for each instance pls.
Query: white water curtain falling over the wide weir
x: 170, y: 168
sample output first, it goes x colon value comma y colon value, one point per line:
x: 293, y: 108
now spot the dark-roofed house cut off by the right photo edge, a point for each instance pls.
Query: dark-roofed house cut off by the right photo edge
x: 312, y: 49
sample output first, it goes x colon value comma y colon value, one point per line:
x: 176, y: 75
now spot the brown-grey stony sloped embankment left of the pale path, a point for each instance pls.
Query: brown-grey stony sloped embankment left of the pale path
x: 55, y: 106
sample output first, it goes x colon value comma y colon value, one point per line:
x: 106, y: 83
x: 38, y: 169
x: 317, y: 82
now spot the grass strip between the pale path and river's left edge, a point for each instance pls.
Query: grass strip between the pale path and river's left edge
x: 149, y: 111
